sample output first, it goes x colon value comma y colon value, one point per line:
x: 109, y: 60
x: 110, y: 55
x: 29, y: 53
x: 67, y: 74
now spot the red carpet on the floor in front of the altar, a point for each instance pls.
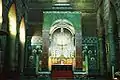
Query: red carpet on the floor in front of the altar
x: 62, y: 74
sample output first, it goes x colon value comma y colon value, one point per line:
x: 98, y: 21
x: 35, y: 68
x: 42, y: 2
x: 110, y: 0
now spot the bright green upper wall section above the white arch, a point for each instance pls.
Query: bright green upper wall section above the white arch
x: 51, y: 16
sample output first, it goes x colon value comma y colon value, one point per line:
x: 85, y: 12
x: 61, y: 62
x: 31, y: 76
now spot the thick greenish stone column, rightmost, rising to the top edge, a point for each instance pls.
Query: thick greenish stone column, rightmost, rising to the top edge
x: 109, y: 19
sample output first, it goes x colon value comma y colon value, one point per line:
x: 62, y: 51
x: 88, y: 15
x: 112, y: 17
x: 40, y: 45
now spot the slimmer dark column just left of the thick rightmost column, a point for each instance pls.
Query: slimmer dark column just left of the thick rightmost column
x: 101, y: 42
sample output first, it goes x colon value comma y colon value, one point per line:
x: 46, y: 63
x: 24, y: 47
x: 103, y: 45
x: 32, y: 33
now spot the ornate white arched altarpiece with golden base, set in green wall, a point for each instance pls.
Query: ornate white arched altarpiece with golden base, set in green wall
x: 62, y: 44
